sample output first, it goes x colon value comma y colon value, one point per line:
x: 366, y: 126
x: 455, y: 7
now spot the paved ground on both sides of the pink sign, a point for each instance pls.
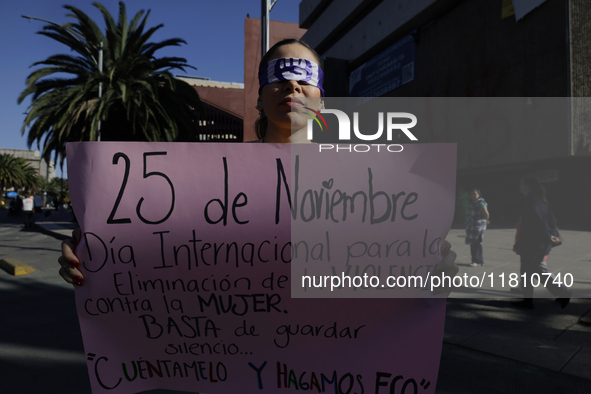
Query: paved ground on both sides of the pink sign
x: 489, y: 346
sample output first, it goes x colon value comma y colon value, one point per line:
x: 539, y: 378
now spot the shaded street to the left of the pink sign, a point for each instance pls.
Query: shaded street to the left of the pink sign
x: 40, y: 344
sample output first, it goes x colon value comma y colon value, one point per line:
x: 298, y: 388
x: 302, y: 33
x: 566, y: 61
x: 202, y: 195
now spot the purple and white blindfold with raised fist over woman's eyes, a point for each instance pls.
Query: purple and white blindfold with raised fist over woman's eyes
x: 291, y: 69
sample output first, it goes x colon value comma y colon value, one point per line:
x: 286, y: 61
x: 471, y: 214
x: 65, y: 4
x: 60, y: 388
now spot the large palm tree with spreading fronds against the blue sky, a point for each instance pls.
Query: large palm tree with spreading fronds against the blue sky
x: 141, y: 101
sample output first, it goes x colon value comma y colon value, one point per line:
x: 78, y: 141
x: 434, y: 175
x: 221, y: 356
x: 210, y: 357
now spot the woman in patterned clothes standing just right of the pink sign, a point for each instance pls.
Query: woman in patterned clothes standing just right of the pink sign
x: 476, y: 222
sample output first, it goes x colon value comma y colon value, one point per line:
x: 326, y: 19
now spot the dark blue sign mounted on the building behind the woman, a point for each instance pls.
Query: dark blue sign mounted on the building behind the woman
x: 392, y: 68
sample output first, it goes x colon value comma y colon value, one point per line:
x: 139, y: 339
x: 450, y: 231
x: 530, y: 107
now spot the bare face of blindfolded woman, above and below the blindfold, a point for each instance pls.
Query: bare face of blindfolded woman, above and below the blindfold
x: 279, y: 99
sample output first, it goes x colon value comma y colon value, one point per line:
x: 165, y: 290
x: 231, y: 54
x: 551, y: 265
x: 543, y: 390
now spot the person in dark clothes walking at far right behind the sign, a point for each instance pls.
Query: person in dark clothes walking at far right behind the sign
x: 537, y: 233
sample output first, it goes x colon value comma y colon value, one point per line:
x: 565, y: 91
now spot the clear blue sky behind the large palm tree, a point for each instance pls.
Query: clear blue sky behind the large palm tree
x: 214, y: 31
